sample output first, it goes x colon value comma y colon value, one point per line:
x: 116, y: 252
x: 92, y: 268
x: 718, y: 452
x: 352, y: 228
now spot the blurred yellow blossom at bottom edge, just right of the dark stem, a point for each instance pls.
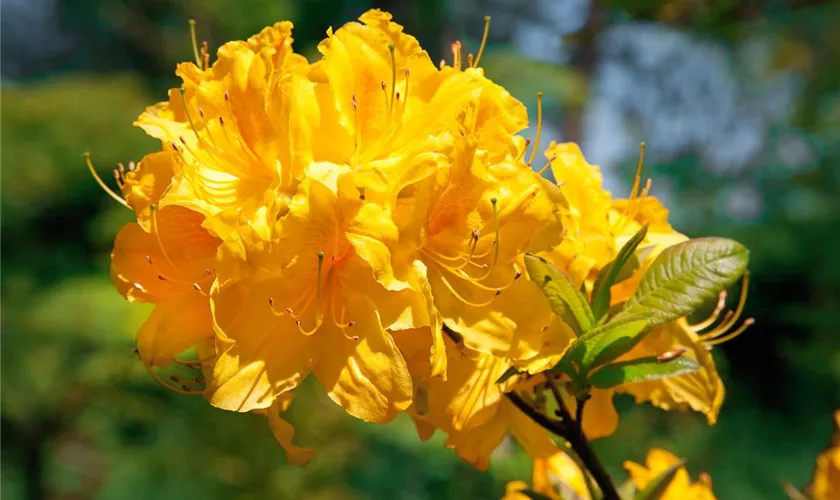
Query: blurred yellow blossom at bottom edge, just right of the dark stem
x: 680, y: 488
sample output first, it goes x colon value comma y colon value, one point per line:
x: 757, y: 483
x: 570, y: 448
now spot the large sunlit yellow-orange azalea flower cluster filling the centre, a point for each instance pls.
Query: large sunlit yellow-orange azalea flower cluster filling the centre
x: 363, y: 219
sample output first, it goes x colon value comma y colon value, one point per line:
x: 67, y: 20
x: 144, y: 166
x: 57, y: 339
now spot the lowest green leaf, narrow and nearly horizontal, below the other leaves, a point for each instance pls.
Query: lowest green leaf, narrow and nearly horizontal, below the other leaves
x: 640, y: 370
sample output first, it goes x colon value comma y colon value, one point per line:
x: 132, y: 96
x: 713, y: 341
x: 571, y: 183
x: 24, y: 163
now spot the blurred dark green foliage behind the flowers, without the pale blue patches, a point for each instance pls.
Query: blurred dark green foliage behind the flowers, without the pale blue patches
x: 81, y: 418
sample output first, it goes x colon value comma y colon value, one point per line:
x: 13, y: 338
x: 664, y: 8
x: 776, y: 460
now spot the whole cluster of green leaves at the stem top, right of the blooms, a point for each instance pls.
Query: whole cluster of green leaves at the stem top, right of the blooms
x: 678, y: 282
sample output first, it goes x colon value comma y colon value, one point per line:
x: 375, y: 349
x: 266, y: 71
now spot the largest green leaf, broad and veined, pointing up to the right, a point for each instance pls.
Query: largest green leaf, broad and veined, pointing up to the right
x: 686, y: 275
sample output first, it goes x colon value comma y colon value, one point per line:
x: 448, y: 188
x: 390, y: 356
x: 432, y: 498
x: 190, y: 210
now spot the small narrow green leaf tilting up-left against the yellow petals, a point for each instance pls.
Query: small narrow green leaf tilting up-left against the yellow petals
x: 565, y: 300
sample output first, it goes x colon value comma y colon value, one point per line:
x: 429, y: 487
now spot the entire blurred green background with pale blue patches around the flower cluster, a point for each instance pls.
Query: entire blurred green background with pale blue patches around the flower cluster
x: 737, y: 100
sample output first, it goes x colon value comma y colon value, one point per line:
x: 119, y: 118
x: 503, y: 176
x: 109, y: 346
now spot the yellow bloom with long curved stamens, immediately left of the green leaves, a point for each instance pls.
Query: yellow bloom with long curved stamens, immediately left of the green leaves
x: 470, y: 223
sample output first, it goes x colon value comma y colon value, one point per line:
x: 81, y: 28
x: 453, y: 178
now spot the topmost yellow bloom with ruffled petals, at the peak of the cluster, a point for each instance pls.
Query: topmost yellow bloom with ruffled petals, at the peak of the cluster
x: 387, y: 110
